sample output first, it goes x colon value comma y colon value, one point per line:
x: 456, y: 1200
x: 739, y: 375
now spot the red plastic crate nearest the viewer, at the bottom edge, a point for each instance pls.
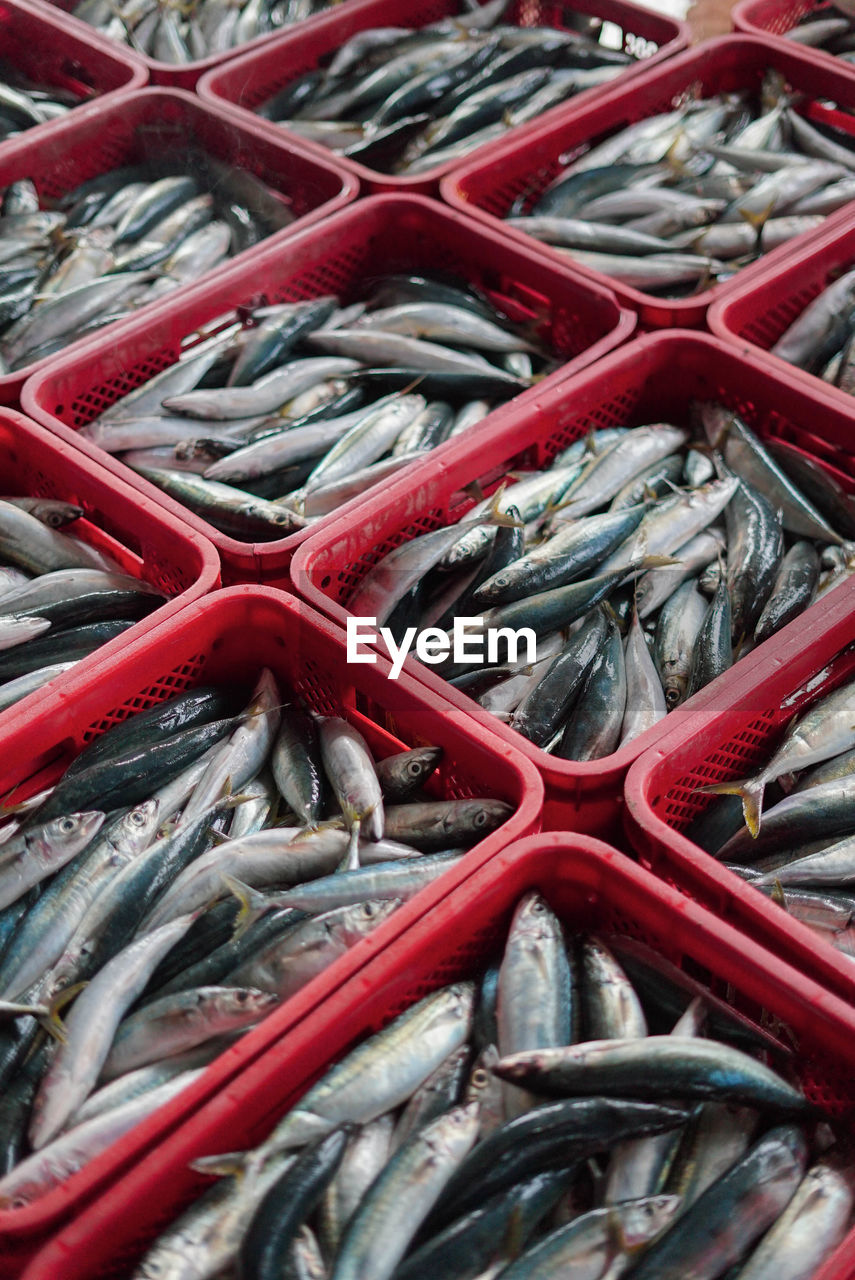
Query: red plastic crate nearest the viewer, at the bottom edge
x: 593, y: 889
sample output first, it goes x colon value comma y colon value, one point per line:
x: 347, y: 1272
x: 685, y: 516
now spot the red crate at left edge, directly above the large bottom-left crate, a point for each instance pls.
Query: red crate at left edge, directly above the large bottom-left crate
x: 147, y: 542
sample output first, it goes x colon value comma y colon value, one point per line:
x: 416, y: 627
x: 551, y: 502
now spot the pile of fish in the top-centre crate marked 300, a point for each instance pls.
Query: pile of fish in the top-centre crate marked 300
x: 404, y: 100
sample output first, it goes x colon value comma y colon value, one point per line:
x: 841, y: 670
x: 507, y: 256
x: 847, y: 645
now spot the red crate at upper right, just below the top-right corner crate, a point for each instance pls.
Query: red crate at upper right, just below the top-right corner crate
x: 488, y: 188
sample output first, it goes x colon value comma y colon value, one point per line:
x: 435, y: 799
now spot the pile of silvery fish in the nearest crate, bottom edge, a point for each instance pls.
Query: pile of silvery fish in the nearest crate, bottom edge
x: 582, y: 1146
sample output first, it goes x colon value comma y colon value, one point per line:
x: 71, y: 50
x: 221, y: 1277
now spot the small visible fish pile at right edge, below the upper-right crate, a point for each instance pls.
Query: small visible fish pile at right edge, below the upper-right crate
x: 821, y: 339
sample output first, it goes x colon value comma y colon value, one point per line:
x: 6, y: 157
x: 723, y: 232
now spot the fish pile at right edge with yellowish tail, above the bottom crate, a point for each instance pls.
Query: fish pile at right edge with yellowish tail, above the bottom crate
x: 802, y: 849
